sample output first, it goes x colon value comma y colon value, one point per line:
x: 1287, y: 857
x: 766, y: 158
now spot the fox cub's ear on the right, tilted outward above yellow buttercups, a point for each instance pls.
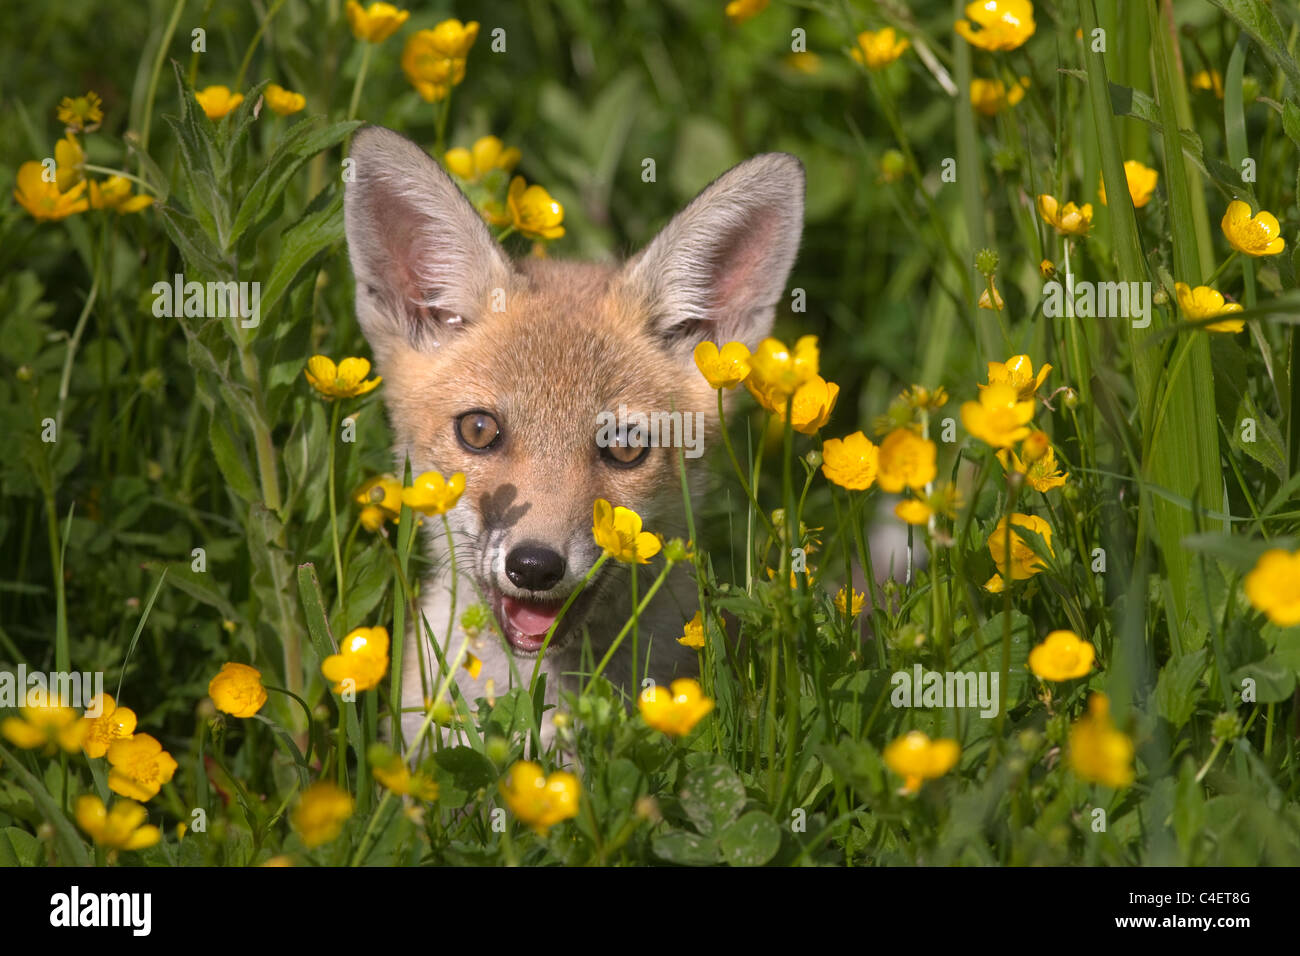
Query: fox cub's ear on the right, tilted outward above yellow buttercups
x: 718, y: 270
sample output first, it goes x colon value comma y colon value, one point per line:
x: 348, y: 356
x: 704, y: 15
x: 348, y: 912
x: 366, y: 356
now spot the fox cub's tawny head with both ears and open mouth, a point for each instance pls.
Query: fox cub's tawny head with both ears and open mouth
x: 514, y: 371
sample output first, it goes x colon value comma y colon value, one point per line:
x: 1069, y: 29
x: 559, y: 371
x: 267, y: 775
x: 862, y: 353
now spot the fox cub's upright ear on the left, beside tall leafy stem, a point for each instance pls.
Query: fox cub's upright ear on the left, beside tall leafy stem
x: 422, y: 256
